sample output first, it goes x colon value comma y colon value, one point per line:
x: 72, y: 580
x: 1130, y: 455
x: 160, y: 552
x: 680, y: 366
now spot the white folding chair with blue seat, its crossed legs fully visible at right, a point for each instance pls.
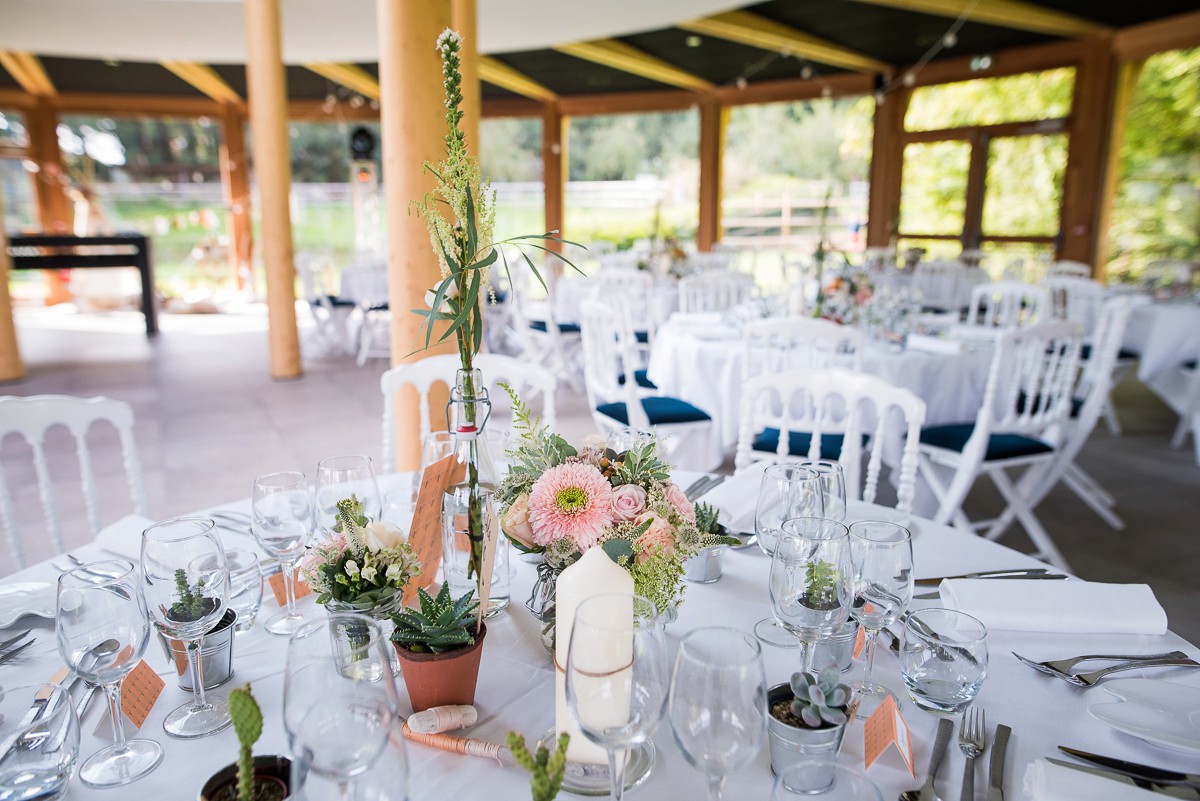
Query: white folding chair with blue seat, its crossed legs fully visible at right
x: 1029, y: 393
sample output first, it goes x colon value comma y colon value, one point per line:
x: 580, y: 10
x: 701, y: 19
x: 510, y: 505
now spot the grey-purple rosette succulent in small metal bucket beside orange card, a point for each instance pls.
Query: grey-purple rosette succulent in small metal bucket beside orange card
x: 808, y: 718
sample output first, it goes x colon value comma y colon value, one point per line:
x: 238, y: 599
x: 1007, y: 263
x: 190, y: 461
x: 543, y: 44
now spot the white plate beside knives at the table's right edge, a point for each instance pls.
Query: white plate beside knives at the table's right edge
x: 1159, y: 712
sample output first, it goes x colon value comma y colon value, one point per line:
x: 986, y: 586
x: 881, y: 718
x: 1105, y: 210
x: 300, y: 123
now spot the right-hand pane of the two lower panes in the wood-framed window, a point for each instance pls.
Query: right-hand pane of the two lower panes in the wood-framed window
x: 1024, y: 186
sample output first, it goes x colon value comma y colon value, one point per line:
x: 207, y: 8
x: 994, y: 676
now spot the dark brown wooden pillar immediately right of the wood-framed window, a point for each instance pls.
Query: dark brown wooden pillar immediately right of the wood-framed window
x: 1091, y: 118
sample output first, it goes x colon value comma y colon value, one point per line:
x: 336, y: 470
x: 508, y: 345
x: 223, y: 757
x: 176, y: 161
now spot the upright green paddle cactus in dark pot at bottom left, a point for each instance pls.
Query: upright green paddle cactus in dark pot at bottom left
x: 251, y: 779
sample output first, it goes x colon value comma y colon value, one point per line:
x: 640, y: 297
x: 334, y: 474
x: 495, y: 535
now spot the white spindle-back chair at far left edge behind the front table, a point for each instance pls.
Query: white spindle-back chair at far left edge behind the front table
x: 32, y: 418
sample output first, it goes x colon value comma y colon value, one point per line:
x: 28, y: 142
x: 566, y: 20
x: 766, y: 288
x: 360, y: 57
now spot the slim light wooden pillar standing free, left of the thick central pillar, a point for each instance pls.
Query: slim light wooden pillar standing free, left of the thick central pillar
x: 269, y: 129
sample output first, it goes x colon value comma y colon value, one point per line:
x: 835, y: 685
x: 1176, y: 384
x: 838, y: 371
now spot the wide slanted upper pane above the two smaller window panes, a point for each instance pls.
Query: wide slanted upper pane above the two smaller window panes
x: 988, y: 101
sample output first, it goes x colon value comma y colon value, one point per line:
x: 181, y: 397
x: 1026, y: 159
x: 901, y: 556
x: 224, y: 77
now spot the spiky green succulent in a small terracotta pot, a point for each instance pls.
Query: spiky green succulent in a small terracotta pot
x: 439, y: 653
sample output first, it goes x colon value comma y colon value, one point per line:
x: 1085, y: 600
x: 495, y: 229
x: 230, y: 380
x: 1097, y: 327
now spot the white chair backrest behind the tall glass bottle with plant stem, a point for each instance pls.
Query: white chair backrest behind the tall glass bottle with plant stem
x: 531, y: 382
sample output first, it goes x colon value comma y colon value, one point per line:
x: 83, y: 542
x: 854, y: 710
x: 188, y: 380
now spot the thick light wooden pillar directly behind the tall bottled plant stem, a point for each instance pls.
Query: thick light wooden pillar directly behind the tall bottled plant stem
x: 412, y: 119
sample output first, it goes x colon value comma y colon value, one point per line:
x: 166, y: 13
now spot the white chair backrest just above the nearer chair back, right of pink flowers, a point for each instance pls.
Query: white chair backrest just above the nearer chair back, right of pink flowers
x: 790, y: 344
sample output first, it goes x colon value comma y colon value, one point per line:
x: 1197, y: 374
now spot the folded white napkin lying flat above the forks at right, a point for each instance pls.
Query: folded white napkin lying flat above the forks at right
x: 1063, y: 607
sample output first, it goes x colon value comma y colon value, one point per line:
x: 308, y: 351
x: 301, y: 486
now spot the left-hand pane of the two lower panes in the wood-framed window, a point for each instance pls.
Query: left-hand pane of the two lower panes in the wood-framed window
x: 934, y: 194
